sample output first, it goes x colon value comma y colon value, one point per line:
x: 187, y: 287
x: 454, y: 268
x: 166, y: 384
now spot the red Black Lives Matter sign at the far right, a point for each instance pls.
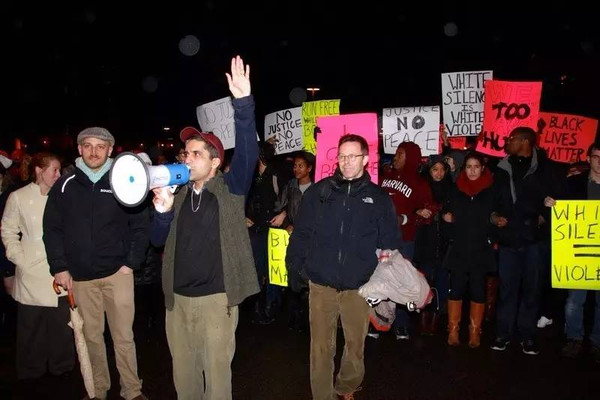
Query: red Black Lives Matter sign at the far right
x: 566, y: 137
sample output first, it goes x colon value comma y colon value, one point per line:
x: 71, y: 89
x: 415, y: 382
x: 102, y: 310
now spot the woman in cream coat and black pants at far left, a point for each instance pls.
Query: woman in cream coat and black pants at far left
x: 44, y: 341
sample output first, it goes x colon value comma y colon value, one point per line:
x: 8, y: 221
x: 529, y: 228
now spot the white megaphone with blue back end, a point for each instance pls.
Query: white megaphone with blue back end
x: 131, y: 179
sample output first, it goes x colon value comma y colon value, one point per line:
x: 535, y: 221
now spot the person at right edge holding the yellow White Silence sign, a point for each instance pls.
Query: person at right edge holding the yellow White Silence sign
x: 584, y: 186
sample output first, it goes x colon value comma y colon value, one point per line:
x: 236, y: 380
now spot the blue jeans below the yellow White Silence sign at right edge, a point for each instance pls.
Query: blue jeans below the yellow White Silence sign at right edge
x: 574, y: 316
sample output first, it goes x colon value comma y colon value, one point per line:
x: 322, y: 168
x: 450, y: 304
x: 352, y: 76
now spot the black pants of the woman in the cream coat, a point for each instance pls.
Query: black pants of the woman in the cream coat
x: 44, y: 340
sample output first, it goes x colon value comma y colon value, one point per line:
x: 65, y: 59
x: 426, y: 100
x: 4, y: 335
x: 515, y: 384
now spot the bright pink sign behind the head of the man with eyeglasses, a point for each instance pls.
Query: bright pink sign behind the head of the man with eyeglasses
x: 332, y: 128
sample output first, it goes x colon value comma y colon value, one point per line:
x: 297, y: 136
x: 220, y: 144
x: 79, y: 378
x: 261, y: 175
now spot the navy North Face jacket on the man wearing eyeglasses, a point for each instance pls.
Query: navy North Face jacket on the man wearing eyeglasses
x: 350, y: 220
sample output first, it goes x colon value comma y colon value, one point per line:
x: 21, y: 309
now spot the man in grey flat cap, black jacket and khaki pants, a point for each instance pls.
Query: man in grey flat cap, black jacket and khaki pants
x: 93, y: 245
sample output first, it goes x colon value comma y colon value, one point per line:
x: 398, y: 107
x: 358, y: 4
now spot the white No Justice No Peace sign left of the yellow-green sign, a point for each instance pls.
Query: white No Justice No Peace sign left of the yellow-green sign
x: 286, y: 127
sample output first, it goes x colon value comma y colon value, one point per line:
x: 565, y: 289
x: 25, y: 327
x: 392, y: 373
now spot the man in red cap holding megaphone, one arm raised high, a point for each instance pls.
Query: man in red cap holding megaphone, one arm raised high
x: 208, y: 267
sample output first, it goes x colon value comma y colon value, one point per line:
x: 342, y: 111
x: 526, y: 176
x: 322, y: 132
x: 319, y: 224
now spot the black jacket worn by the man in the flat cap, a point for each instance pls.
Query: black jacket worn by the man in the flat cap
x: 88, y: 233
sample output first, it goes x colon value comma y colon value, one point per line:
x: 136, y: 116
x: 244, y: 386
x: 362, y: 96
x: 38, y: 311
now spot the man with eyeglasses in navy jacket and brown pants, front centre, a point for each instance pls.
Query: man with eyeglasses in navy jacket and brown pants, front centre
x: 341, y: 222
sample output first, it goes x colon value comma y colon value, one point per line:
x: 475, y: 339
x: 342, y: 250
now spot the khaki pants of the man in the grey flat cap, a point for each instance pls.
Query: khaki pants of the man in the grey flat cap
x: 112, y: 295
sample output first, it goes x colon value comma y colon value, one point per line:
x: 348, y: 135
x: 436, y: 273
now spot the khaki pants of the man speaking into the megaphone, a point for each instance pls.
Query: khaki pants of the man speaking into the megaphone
x: 201, y: 336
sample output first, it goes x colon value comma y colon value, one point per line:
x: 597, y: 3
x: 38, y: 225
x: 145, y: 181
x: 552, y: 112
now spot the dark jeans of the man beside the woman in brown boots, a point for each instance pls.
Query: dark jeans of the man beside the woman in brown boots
x: 520, y: 272
